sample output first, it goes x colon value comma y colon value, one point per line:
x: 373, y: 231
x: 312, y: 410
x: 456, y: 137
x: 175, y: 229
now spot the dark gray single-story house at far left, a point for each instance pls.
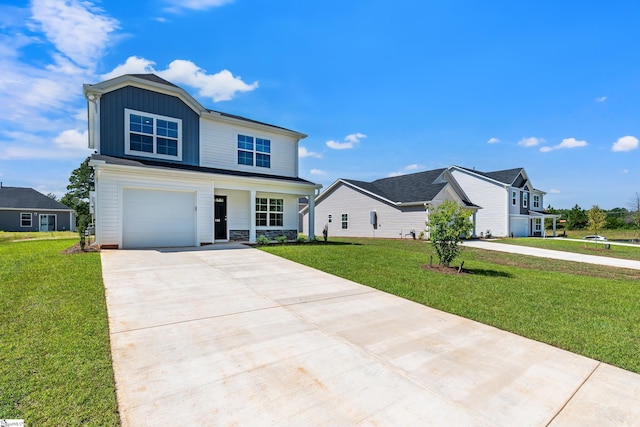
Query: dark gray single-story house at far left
x: 25, y: 209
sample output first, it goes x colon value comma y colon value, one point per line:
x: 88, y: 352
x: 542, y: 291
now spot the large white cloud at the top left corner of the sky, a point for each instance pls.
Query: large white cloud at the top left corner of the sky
x: 78, y: 29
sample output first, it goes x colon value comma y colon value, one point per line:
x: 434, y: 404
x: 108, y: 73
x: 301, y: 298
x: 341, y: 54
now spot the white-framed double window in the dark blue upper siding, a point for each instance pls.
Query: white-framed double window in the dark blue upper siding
x: 151, y: 135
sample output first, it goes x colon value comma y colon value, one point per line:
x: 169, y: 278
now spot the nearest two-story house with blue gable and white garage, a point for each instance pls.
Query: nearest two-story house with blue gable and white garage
x: 169, y: 172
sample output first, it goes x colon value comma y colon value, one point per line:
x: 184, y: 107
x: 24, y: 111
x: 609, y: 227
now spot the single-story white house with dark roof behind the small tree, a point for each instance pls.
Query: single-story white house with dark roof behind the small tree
x: 395, y: 207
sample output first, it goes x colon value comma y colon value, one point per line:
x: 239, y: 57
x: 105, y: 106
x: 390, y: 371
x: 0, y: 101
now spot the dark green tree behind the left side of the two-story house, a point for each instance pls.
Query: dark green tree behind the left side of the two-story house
x: 81, y: 182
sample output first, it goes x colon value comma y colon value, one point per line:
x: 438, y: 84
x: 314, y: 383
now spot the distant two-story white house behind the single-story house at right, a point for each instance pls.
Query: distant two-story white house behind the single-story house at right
x: 511, y: 204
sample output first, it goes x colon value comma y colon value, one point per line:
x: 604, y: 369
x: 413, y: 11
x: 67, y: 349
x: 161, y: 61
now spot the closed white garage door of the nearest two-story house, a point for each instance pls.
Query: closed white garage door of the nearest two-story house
x: 153, y: 218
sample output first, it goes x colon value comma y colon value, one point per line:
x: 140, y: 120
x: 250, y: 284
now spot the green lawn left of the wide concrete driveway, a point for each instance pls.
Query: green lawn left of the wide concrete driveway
x: 55, y: 361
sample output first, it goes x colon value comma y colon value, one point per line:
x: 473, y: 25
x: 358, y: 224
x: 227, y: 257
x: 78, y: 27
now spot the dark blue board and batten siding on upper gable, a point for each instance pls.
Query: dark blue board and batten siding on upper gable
x: 113, y: 104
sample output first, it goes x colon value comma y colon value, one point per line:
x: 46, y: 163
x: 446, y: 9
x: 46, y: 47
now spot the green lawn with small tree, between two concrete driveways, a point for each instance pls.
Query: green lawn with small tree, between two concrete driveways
x: 590, y: 310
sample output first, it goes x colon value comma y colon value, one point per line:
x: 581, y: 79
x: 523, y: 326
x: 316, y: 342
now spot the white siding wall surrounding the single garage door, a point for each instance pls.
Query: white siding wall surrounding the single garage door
x: 110, y: 184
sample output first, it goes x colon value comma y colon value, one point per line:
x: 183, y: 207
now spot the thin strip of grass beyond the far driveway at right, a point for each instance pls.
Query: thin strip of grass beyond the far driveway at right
x: 584, y: 247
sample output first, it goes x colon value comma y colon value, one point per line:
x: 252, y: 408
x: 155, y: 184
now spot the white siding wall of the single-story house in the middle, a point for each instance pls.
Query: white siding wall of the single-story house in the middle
x: 392, y: 222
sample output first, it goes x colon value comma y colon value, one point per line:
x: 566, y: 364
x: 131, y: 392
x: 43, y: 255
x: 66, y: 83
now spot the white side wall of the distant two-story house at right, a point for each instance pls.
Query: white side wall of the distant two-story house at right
x: 493, y: 199
